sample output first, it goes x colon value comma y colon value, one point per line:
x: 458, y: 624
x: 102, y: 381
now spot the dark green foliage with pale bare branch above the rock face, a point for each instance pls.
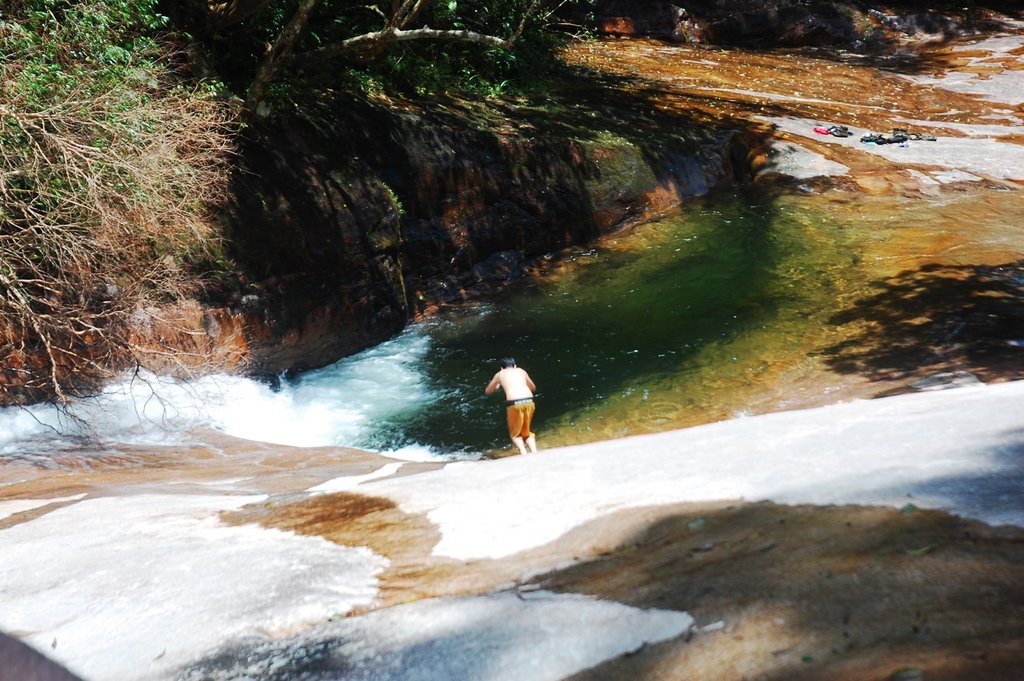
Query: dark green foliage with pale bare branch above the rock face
x: 411, y: 48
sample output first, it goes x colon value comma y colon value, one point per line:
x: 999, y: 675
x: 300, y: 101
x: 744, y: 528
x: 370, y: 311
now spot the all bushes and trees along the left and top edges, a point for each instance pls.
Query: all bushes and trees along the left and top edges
x: 117, y: 121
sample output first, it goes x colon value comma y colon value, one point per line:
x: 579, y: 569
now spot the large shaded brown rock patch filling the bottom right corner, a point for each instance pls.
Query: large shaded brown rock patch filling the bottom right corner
x: 809, y: 593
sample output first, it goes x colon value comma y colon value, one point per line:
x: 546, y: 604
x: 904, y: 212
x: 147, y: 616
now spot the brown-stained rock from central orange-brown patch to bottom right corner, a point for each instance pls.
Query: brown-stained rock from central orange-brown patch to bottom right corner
x: 779, y: 592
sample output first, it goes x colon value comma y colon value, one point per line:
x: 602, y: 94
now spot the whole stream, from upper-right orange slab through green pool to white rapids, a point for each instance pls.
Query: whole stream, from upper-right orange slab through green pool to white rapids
x: 752, y: 300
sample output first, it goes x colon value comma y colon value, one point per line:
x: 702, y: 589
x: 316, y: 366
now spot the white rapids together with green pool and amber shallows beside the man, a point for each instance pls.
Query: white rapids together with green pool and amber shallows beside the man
x: 727, y: 308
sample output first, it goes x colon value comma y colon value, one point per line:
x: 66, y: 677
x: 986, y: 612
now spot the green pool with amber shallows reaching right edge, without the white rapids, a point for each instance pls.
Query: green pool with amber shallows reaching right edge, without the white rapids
x: 745, y: 302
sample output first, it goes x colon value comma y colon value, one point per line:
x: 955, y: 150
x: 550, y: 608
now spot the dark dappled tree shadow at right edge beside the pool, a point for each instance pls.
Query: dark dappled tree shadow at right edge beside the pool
x: 937, y: 319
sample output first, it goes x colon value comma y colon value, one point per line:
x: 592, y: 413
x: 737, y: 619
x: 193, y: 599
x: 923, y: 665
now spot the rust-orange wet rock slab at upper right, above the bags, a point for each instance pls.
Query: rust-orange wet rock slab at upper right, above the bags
x: 734, y: 88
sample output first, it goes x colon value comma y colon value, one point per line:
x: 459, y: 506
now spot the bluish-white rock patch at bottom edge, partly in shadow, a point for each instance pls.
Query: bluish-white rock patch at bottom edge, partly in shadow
x: 455, y: 639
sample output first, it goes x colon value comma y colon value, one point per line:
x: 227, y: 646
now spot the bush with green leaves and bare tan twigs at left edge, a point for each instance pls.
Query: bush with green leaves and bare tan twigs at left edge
x: 110, y: 160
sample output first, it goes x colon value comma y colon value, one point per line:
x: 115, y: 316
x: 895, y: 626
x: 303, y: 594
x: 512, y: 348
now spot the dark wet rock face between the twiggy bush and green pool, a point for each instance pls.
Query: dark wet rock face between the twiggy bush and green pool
x: 357, y: 218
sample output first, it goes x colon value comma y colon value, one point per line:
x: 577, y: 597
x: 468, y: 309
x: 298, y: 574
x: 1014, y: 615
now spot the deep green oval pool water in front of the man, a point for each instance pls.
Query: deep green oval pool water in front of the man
x: 661, y: 327
